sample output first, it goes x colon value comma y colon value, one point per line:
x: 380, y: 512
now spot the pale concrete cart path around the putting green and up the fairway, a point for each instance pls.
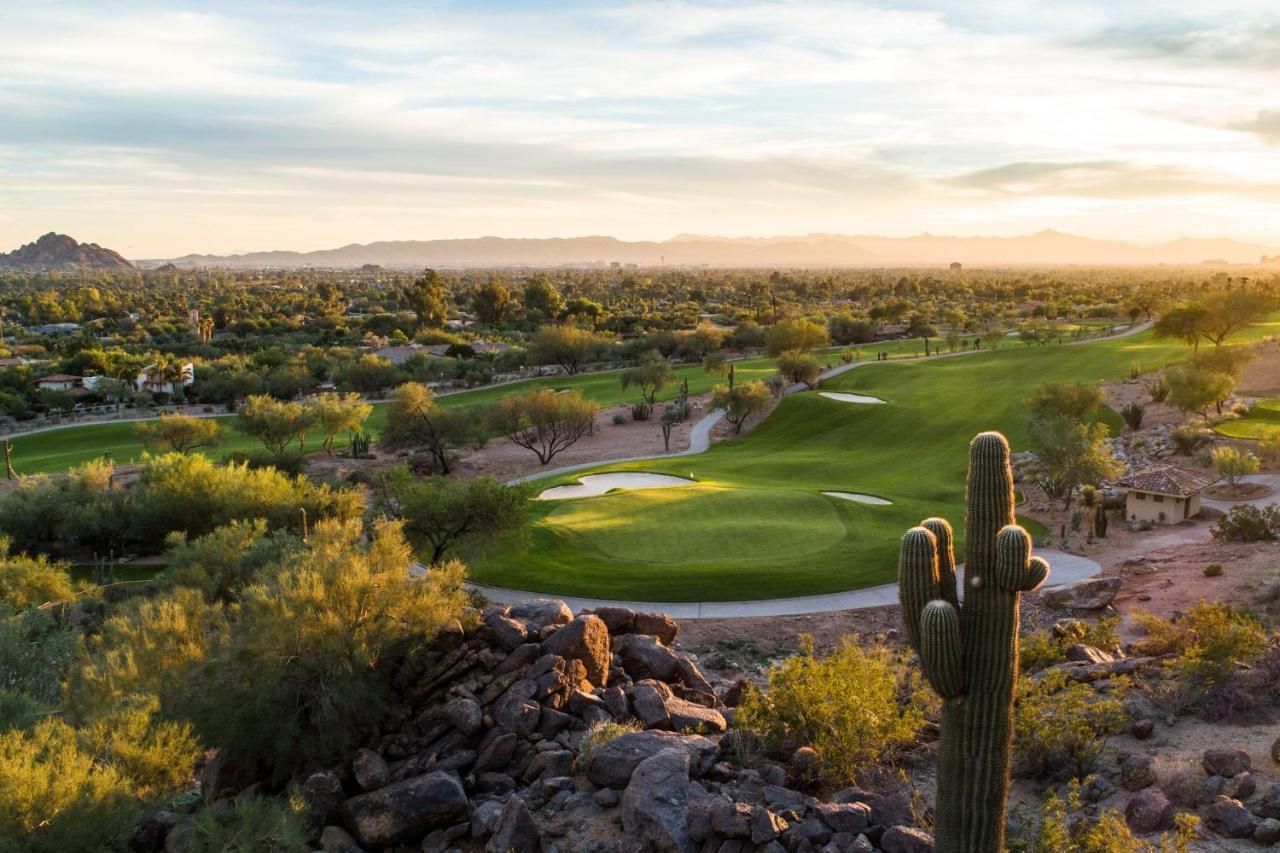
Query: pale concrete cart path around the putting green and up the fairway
x: 1066, y: 568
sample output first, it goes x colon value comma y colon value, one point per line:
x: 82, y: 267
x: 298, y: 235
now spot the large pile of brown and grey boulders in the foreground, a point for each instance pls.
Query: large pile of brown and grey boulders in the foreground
x: 540, y: 731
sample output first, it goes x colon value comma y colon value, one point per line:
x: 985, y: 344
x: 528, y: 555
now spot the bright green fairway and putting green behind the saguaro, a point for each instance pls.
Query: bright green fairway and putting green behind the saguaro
x: 757, y: 526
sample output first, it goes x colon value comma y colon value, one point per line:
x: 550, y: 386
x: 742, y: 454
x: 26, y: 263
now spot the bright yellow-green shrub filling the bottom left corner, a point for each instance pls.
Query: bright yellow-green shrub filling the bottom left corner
x: 56, y: 796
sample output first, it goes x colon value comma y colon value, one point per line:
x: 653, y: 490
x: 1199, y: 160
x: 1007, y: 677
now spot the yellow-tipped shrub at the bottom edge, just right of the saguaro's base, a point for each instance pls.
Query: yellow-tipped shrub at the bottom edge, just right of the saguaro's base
x: 1107, y: 833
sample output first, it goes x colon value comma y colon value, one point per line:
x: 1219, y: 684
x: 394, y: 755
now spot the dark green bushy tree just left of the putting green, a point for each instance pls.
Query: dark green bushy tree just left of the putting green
x: 444, y: 516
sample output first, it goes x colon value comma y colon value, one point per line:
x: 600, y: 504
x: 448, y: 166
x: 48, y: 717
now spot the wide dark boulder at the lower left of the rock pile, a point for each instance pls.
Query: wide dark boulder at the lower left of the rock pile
x: 406, y: 809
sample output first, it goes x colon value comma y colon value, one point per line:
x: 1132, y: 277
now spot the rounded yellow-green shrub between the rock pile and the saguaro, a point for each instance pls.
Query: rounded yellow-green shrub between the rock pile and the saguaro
x: 858, y: 708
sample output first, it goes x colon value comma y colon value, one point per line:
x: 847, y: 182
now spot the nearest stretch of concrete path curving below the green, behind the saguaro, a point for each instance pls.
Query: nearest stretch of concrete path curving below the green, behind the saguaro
x: 1064, y: 568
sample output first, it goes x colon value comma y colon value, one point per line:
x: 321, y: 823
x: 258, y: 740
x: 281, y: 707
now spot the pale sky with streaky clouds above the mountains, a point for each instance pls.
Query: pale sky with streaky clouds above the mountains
x: 166, y: 129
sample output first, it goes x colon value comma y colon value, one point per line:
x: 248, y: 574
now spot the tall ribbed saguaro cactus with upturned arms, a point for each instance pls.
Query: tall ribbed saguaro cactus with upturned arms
x: 970, y: 653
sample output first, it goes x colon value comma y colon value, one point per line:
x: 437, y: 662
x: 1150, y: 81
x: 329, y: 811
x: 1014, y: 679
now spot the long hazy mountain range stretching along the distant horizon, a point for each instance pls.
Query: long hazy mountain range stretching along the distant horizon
x: 810, y: 250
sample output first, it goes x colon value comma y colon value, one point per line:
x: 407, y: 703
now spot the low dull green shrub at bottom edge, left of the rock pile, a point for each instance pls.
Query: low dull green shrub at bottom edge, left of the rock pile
x: 250, y: 825
